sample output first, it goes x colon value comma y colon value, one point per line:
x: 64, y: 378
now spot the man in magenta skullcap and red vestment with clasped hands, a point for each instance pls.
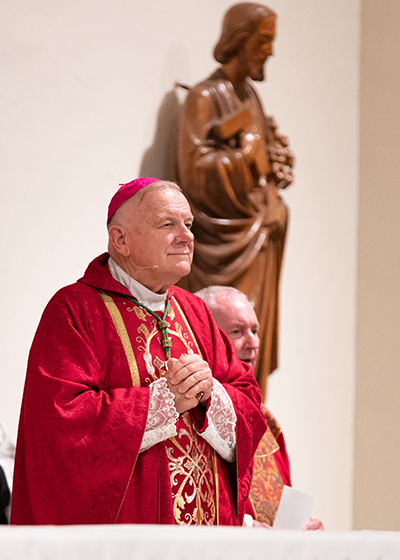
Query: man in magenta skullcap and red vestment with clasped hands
x: 135, y: 407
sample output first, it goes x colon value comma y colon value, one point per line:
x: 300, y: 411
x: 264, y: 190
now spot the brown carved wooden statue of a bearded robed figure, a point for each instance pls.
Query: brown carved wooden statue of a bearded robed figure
x: 232, y: 163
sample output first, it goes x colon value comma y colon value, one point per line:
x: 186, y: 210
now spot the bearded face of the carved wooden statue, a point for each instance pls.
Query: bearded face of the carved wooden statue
x: 258, y: 48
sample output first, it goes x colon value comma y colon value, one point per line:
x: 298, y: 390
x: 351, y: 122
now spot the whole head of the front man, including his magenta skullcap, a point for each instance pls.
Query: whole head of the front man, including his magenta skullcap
x: 149, y: 223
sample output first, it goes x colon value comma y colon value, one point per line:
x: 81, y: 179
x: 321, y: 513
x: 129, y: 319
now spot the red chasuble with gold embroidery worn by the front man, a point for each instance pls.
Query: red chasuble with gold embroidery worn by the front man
x: 85, y: 408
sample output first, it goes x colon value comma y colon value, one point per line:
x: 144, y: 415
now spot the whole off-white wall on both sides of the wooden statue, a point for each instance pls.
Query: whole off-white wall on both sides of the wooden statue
x: 87, y: 95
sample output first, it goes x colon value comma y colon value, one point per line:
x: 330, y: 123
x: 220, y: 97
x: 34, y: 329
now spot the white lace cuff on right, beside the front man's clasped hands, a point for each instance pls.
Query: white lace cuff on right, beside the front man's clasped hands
x: 221, y: 430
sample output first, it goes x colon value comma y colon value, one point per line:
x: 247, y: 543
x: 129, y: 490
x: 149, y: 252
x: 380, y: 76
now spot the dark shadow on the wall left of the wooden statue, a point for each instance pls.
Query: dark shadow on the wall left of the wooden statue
x: 159, y: 159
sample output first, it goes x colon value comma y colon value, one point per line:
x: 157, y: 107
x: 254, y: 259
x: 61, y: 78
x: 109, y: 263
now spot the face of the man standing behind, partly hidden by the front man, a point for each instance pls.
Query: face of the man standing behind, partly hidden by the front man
x: 237, y: 318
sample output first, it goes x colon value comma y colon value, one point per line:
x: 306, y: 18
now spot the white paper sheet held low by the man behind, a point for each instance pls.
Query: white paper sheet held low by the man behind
x: 294, y: 509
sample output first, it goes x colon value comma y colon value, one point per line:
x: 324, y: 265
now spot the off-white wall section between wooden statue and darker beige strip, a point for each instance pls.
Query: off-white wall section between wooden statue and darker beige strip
x: 312, y: 393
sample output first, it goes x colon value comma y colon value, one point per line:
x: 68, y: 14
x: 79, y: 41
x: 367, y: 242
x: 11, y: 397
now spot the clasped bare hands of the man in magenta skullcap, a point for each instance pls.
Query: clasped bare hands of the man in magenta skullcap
x: 187, y: 377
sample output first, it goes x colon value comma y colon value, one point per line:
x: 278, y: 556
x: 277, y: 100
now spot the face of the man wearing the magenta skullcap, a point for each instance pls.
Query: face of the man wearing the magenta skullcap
x: 159, y: 241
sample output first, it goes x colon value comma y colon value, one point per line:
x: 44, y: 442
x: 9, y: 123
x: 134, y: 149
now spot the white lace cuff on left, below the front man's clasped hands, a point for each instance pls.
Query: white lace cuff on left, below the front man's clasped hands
x: 162, y: 415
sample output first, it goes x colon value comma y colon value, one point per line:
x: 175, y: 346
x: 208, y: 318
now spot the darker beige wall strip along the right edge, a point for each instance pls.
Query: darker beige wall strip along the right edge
x: 377, y: 441
